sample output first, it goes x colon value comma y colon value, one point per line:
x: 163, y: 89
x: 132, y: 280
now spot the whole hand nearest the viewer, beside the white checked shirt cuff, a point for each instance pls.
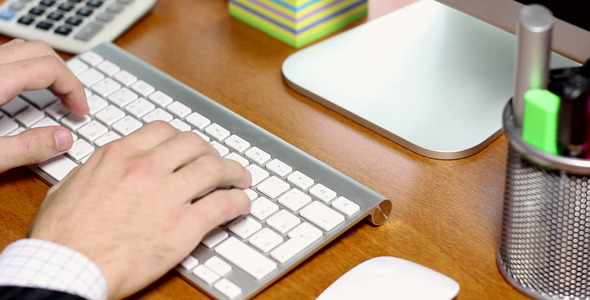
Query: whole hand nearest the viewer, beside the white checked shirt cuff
x: 131, y: 207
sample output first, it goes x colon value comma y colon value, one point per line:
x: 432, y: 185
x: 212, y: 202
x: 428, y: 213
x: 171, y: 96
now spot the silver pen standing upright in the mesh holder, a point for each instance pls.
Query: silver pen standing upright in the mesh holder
x: 534, y: 31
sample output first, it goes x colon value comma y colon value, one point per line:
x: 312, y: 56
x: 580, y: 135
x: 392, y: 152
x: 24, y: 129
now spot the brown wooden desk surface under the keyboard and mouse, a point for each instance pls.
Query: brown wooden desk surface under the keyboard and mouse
x: 447, y: 214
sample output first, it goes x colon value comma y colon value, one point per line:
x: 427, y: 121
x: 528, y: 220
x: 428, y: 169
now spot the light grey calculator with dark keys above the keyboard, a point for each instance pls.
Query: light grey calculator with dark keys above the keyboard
x: 70, y: 25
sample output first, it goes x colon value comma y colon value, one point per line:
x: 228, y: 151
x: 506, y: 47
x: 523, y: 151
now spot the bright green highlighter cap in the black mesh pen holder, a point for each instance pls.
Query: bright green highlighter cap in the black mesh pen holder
x: 541, y: 120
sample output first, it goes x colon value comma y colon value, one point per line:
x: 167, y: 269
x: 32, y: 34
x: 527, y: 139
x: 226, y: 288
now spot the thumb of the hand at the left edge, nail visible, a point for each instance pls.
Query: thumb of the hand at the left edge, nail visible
x: 33, y: 146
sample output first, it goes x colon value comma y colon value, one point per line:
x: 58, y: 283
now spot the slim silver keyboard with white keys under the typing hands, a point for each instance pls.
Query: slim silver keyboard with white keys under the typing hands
x: 299, y: 203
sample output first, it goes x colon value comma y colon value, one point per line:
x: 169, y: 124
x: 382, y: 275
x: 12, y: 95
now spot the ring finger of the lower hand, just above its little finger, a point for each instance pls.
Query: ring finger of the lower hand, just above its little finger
x: 208, y: 173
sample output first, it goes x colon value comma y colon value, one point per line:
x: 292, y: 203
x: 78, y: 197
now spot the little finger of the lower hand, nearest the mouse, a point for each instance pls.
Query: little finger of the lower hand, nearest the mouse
x: 219, y: 207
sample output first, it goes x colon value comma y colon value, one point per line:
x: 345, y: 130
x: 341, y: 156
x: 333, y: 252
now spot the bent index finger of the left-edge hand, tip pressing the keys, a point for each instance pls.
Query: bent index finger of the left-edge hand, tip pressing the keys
x: 39, y: 73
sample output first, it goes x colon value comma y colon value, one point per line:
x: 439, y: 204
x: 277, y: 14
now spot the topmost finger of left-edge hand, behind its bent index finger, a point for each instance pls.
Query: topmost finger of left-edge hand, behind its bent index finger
x: 18, y: 49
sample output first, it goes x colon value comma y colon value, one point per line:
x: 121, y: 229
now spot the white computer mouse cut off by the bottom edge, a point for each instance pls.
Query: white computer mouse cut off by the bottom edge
x: 388, y: 277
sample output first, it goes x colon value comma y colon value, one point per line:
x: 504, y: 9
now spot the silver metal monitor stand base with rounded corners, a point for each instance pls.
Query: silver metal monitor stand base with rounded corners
x: 426, y: 76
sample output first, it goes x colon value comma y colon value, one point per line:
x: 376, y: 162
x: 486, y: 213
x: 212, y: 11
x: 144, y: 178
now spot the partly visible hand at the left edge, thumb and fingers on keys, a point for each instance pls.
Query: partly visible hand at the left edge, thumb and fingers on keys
x: 26, y: 66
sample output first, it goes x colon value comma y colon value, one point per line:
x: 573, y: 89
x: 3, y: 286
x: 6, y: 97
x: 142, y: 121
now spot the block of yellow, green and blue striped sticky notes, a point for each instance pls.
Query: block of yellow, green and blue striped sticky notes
x: 298, y: 22
